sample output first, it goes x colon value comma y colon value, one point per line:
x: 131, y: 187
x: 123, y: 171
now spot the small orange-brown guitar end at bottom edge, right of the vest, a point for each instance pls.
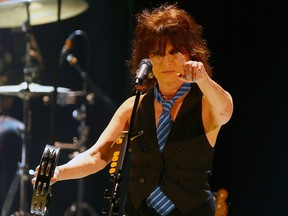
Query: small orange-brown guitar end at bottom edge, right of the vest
x: 221, y: 203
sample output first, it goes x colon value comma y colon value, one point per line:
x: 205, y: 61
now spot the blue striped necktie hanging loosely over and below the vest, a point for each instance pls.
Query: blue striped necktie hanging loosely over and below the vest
x: 157, y: 199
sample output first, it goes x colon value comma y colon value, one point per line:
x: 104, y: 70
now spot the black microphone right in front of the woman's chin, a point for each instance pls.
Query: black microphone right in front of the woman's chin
x: 143, y: 71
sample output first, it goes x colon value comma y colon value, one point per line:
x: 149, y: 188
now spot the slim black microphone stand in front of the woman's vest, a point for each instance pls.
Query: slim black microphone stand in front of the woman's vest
x: 117, y: 177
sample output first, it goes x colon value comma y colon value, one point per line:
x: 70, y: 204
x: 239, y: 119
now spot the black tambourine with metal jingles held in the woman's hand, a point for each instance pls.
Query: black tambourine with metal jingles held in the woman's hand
x: 42, y: 187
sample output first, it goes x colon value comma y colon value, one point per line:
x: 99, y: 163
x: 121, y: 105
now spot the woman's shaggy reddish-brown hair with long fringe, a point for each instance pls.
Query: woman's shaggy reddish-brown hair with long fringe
x: 167, y: 22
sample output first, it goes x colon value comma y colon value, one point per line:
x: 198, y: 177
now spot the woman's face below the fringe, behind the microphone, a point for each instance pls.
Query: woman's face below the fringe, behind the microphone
x: 167, y: 65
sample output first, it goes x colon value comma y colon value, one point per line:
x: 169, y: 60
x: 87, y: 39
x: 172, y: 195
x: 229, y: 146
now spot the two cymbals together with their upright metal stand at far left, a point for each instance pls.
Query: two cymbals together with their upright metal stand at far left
x: 12, y: 14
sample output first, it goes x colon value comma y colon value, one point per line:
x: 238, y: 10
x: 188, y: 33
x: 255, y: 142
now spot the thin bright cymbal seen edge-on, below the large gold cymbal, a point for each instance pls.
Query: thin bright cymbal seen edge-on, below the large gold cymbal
x: 24, y: 90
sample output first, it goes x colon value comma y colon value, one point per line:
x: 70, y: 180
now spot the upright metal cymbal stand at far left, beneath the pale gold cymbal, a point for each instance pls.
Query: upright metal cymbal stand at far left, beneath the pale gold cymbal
x: 22, y: 174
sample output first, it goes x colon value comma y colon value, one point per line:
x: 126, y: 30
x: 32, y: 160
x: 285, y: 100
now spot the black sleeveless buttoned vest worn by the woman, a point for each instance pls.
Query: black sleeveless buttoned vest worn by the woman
x: 182, y: 170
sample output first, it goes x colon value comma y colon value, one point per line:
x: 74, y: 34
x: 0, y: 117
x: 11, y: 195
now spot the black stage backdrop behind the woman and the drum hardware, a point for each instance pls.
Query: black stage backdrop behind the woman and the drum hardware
x: 249, y: 43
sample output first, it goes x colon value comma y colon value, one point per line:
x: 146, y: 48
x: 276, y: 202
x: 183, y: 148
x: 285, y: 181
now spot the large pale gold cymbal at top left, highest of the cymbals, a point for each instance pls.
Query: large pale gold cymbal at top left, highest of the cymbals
x: 13, y: 13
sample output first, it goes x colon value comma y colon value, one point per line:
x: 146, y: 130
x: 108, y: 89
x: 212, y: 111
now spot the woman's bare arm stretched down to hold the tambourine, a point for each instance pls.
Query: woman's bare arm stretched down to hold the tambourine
x: 99, y: 155
